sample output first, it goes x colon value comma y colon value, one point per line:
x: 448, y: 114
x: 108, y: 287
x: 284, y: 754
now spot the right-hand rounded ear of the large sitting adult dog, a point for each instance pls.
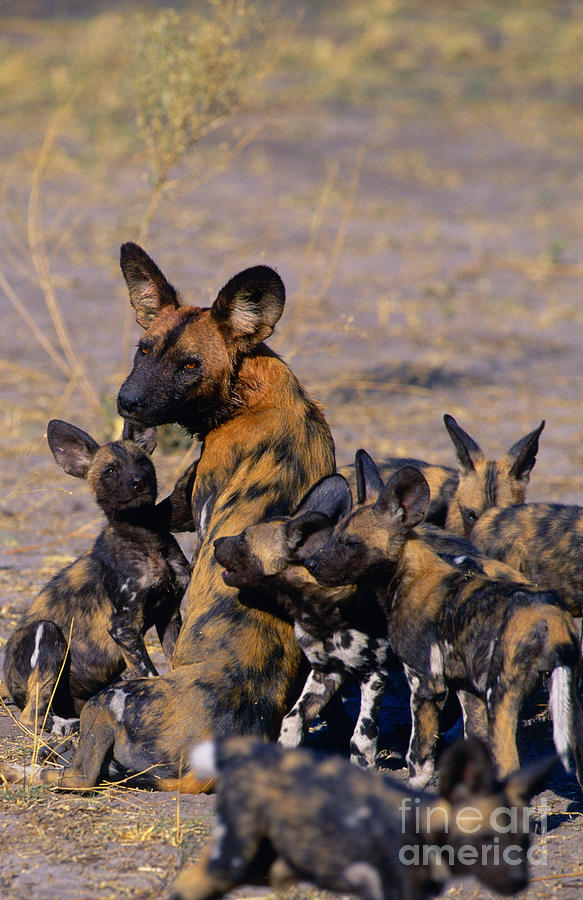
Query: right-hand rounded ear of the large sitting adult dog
x: 248, y: 307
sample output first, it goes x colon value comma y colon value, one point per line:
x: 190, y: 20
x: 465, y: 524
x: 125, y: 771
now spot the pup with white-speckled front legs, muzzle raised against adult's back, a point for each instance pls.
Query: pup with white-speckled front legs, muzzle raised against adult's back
x: 342, y: 630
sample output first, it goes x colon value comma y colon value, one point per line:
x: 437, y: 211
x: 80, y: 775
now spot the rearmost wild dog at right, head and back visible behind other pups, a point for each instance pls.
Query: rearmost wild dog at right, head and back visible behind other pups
x: 459, y: 496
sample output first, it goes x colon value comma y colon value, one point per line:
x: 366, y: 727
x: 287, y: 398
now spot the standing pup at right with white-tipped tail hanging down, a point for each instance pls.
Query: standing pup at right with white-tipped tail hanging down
x: 470, y: 623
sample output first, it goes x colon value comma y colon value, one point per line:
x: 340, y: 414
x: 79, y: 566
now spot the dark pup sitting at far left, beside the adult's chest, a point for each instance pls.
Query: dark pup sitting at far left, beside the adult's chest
x: 133, y: 577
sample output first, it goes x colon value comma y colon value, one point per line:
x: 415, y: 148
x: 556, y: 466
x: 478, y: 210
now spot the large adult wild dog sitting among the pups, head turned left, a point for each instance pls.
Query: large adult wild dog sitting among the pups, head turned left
x: 264, y: 443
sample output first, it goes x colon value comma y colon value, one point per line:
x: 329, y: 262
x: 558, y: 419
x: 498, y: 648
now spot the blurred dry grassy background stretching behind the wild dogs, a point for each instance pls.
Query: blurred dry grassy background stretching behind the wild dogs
x: 401, y: 163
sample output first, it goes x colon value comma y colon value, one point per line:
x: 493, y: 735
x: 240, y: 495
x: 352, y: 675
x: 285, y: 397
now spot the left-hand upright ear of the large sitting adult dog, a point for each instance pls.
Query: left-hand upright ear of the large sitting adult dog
x: 149, y: 290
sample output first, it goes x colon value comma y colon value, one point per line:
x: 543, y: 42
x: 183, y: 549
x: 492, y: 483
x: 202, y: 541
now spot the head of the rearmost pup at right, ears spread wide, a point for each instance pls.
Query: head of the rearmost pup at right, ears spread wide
x: 484, y: 483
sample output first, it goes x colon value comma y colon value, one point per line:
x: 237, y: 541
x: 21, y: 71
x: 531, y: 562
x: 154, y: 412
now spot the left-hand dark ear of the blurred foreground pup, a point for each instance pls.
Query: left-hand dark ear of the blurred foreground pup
x: 466, y: 770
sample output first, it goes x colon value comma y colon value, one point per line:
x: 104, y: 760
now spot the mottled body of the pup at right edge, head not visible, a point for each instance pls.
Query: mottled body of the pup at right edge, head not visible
x: 544, y: 541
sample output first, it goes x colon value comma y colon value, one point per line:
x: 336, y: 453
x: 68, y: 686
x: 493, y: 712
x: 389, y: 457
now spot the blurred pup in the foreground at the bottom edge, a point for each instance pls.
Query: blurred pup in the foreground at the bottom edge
x: 290, y: 815
